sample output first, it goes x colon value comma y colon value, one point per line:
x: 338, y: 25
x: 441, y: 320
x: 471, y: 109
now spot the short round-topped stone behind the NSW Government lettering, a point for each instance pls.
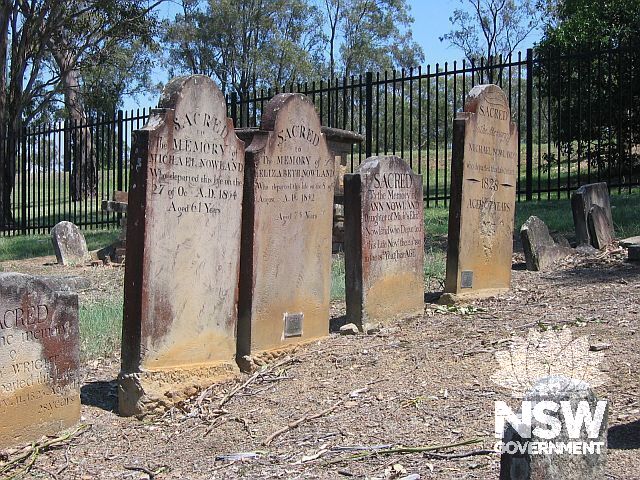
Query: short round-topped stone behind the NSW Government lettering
x: 553, y: 466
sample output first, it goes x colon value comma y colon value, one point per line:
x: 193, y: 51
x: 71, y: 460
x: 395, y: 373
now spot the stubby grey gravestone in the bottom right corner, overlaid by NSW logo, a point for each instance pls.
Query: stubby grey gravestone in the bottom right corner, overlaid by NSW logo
x: 520, y: 460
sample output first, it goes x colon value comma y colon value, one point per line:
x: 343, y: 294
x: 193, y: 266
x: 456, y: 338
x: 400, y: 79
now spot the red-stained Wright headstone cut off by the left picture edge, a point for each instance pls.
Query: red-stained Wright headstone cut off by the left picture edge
x: 39, y: 359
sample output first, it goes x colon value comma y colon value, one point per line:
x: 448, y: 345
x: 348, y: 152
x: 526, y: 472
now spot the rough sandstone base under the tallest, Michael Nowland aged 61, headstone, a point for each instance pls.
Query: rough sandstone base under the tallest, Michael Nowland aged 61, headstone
x: 151, y: 393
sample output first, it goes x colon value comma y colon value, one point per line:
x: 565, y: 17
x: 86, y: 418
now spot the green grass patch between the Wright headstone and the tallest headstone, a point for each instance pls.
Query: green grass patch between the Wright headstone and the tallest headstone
x: 100, y: 328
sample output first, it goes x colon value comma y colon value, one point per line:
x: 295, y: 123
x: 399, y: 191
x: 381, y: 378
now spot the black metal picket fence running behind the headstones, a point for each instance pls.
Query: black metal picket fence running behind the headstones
x: 578, y: 117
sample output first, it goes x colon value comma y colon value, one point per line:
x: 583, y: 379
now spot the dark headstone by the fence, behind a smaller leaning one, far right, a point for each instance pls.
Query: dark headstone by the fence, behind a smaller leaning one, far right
x: 582, y: 200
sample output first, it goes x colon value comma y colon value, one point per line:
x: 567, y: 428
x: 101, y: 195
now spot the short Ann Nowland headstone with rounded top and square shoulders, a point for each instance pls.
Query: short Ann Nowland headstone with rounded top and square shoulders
x: 384, y: 242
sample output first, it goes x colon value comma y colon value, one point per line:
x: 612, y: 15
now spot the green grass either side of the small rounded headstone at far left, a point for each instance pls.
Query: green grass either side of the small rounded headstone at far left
x: 20, y: 247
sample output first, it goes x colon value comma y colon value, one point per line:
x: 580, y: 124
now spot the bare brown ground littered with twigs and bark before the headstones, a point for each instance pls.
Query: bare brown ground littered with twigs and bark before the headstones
x: 421, y: 381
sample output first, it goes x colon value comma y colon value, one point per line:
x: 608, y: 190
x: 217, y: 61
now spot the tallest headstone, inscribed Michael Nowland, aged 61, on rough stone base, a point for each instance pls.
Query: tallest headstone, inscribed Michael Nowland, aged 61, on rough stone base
x: 183, y: 249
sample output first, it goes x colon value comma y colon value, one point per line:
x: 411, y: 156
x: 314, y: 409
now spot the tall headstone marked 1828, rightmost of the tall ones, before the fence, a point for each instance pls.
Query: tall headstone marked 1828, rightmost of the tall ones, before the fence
x: 483, y: 188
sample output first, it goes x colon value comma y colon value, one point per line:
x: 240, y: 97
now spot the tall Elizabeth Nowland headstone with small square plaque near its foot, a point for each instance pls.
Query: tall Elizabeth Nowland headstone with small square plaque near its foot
x: 286, y: 256
